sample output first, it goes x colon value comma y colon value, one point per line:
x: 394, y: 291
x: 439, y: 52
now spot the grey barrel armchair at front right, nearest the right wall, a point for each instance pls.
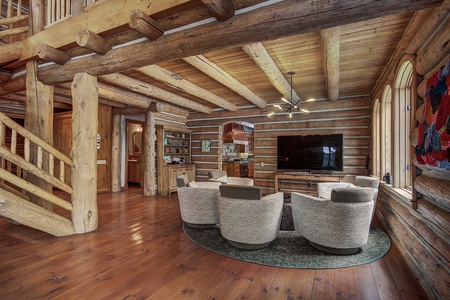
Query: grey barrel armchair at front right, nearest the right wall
x: 338, y: 225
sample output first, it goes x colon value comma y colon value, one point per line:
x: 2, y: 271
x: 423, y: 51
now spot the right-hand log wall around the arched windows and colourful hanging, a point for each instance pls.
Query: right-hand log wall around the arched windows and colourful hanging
x: 419, y: 225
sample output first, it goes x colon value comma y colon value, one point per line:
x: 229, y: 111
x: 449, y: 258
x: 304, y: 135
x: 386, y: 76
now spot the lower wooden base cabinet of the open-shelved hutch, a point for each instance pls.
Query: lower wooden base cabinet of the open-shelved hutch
x: 169, y: 174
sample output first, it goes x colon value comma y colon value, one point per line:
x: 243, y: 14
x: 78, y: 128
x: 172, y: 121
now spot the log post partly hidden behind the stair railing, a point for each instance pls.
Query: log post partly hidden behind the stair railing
x: 39, y: 121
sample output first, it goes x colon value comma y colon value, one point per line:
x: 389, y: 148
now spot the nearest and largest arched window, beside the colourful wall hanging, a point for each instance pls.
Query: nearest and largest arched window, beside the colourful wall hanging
x: 402, y: 110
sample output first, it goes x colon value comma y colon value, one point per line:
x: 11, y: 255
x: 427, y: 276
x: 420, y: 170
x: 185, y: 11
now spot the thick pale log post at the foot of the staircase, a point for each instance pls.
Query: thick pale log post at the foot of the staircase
x: 84, y: 152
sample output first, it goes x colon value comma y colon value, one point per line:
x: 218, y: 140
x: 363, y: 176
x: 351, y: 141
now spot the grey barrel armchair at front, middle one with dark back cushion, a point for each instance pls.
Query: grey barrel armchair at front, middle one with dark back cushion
x: 248, y: 220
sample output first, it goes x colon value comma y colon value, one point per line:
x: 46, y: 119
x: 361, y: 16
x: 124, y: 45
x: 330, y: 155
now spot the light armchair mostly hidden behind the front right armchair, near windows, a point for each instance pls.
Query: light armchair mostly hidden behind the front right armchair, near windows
x: 324, y: 188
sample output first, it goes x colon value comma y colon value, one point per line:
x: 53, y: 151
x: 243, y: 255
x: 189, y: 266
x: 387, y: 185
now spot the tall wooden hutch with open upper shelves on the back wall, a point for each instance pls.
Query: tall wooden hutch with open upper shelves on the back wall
x: 173, y: 145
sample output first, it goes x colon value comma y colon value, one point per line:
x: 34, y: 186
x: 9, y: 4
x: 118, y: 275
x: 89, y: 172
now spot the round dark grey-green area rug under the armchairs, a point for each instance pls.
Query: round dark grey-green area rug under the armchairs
x: 291, y: 250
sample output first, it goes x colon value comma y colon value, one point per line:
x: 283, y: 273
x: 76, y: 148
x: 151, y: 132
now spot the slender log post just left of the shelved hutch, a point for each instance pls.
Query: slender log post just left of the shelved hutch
x: 149, y: 154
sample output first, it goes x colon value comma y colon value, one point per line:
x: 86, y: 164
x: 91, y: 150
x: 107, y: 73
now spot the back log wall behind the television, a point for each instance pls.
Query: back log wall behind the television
x: 350, y: 117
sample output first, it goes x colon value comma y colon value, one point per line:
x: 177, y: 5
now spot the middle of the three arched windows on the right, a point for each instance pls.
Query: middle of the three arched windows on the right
x: 385, y: 124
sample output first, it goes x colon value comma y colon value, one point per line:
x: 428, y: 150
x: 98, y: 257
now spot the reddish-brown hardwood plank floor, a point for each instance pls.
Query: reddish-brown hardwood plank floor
x: 141, y: 252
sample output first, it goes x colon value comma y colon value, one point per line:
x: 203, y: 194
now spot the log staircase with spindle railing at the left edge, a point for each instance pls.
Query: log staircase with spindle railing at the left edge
x: 35, y: 160
